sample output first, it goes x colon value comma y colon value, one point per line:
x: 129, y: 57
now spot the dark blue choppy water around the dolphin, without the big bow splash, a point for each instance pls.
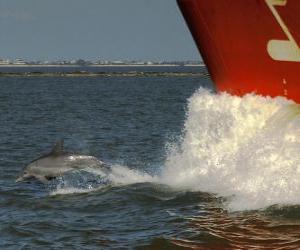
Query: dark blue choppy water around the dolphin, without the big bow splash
x: 128, y: 123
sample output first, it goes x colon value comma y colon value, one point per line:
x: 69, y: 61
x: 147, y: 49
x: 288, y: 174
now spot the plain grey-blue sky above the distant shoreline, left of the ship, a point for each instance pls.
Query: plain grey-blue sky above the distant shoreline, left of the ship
x: 94, y: 29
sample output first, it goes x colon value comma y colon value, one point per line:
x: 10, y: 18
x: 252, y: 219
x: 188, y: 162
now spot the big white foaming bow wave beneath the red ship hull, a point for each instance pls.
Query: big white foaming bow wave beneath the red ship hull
x: 247, y: 147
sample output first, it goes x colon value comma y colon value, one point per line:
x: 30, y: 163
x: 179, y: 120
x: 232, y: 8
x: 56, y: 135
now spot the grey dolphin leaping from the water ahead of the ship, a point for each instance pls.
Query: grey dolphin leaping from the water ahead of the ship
x: 56, y: 163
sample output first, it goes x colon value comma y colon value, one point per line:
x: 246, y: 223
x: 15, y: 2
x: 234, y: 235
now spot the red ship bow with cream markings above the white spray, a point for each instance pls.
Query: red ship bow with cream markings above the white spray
x: 248, y: 46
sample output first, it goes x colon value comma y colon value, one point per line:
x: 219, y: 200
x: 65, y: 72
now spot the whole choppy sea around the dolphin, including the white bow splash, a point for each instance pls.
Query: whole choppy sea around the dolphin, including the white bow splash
x: 189, y: 169
